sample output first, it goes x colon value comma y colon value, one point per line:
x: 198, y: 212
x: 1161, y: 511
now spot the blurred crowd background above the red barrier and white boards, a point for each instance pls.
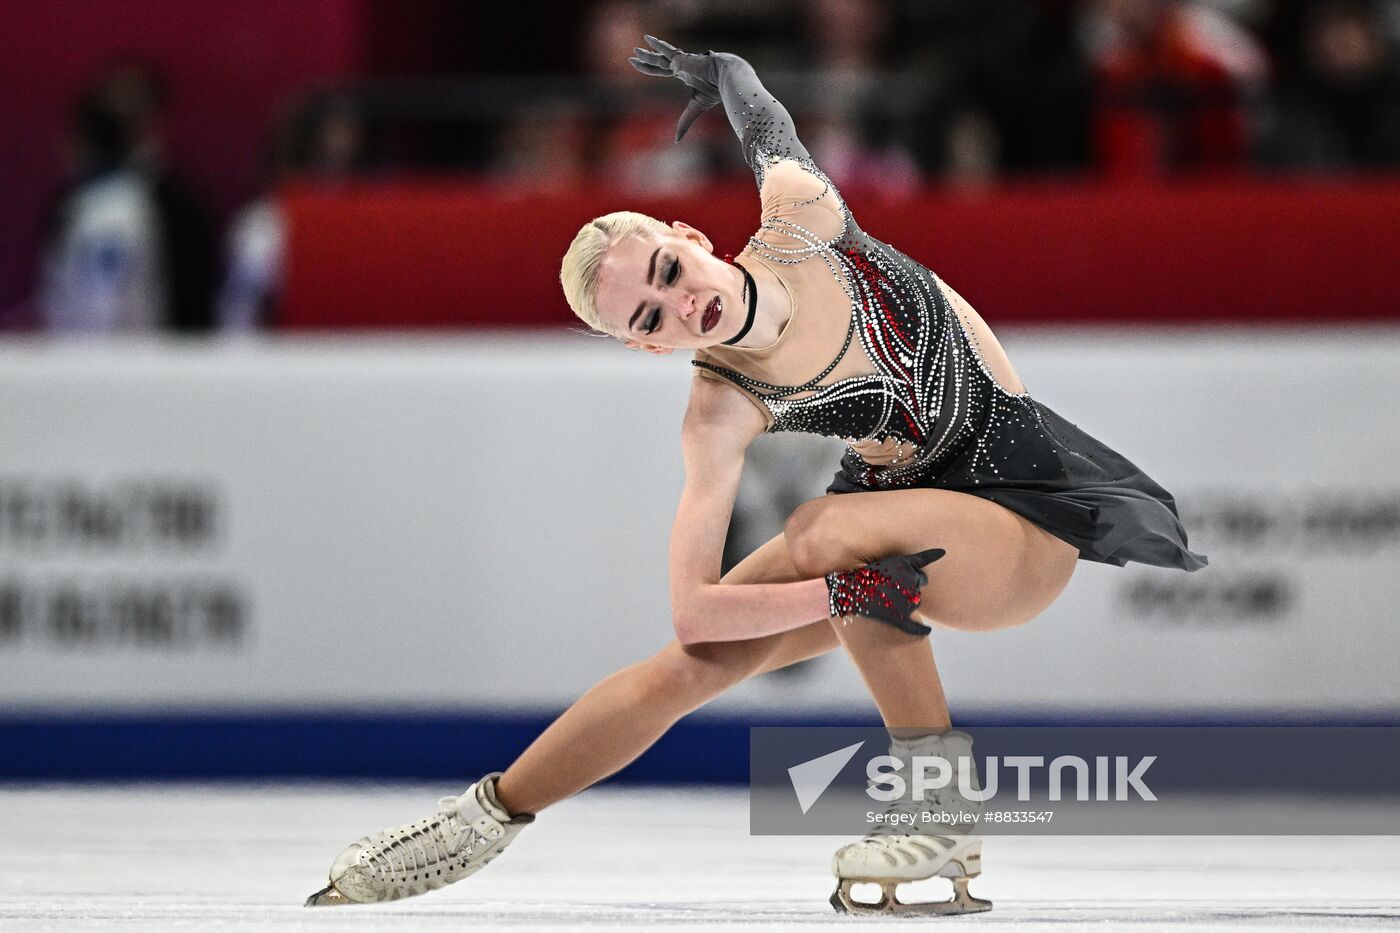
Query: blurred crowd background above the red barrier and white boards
x: 145, y: 172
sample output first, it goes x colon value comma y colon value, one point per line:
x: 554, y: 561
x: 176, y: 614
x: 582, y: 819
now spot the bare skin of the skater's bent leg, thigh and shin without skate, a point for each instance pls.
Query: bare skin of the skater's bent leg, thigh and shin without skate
x: 999, y: 571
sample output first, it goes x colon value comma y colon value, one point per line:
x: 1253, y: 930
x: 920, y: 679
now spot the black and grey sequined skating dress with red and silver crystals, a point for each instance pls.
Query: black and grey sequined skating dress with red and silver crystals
x: 930, y: 392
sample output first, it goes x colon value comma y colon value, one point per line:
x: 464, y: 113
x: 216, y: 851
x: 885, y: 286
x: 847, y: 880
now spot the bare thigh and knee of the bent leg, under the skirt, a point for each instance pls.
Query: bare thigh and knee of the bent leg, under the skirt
x: 999, y: 568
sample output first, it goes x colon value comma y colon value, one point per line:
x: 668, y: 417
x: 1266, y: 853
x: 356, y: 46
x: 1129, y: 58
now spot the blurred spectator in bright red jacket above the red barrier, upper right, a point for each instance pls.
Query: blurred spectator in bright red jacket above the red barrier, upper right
x: 1174, y: 81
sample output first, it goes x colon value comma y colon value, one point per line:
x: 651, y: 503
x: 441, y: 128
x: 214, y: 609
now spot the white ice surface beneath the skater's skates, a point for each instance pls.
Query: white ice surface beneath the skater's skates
x: 237, y: 858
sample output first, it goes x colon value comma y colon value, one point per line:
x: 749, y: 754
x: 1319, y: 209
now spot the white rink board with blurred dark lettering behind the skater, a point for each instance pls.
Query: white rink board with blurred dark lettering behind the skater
x: 481, y: 523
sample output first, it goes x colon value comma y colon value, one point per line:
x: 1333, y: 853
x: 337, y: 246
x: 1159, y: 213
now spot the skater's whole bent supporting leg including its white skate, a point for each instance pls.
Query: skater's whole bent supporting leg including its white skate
x: 999, y: 571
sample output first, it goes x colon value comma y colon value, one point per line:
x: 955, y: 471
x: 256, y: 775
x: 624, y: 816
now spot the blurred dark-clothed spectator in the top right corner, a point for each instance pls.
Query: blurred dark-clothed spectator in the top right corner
x: 1342, y: 110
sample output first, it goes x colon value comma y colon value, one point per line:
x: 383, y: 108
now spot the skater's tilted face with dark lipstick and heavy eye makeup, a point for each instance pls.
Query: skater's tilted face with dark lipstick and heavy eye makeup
x: 670, y: 293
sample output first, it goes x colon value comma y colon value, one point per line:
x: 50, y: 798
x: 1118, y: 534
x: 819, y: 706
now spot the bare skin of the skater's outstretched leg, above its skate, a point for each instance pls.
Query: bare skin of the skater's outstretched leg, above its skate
x: 628, y: 712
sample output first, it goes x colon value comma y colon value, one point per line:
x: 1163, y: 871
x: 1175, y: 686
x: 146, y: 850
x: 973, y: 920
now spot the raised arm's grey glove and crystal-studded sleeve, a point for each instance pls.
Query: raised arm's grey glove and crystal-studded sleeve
x: 764, y: 125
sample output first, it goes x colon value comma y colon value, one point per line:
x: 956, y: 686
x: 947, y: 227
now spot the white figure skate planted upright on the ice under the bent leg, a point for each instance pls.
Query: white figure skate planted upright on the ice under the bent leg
x: 899, y: 851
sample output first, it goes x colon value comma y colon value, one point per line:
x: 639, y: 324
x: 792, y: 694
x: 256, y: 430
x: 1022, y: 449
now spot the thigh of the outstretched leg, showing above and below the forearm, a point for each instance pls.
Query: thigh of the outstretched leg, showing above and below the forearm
x: 769, y: 564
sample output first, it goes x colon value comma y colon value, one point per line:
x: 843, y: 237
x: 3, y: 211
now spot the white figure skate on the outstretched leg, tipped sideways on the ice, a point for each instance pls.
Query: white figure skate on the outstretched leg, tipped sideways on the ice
x: 422, y: 857
